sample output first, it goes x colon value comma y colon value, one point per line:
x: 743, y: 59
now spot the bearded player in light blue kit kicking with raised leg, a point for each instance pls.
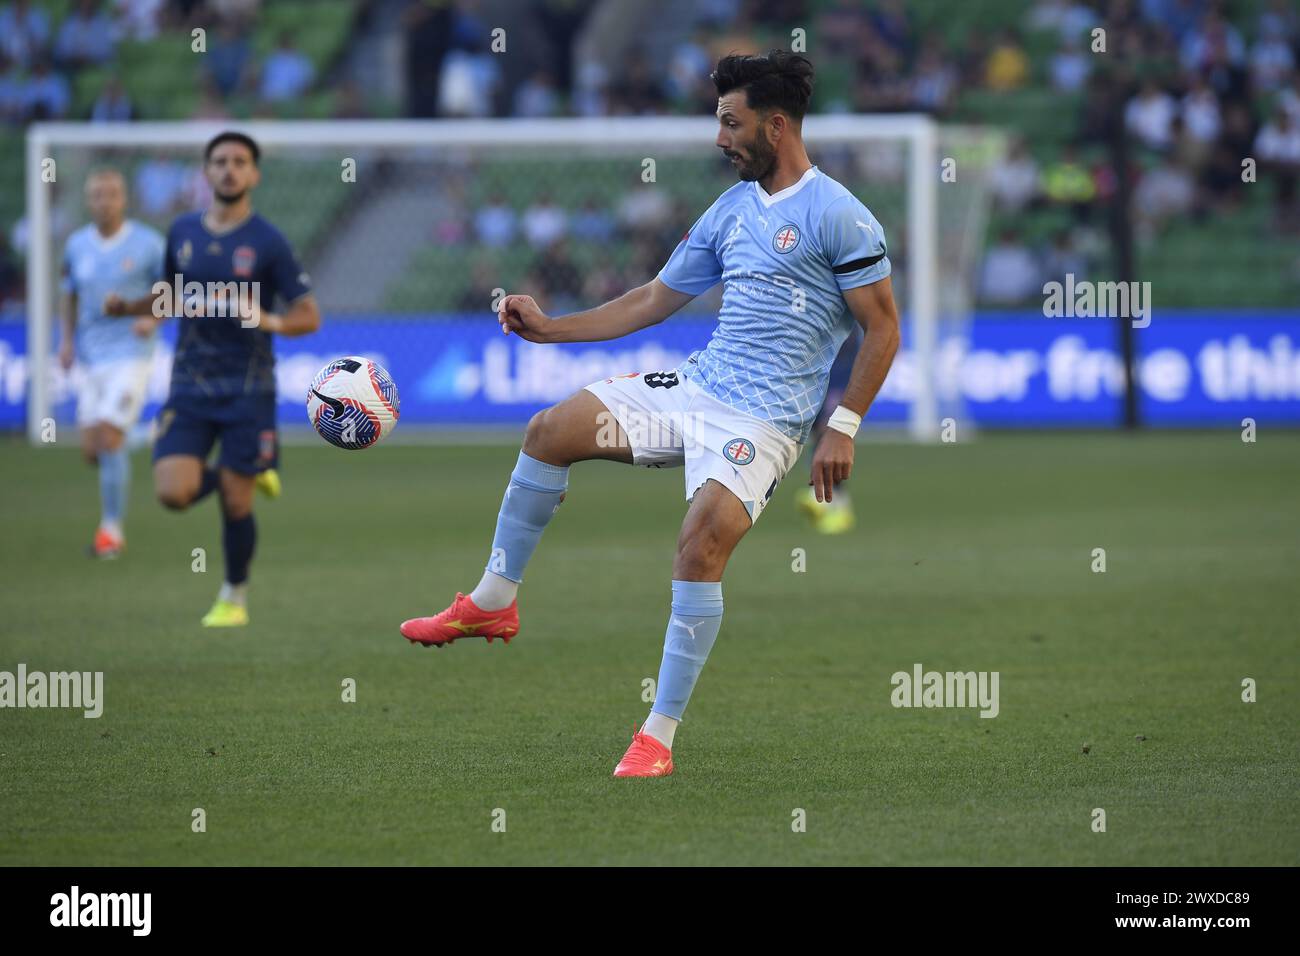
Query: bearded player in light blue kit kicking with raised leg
x: 801, y: 261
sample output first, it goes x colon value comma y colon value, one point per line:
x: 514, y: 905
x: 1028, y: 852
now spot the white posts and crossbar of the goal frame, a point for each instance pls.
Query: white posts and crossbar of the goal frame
x: 918, y: 137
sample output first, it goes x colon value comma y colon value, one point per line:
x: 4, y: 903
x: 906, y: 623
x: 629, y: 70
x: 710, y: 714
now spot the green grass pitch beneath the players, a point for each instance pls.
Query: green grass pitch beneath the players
x: 968, y: 557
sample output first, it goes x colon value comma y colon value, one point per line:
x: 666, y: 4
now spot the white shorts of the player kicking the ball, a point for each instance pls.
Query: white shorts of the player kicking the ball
x: 670, y: 421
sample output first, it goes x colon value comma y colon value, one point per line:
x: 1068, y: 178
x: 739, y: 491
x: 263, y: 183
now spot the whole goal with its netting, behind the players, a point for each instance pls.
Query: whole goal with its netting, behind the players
x: 411, y: 231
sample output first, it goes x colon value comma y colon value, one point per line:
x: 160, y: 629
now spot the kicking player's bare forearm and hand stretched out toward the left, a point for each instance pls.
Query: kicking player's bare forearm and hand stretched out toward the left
x: 644, y: 306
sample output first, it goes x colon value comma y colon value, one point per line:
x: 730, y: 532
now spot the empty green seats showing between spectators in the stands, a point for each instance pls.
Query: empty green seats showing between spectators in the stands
x: 1238, y: 259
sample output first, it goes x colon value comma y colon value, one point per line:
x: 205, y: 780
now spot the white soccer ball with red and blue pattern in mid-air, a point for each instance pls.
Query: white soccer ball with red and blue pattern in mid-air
x: 353, y: 404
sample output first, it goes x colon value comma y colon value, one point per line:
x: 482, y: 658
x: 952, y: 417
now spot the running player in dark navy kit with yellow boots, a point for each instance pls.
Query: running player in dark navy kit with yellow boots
x: 227, y: 269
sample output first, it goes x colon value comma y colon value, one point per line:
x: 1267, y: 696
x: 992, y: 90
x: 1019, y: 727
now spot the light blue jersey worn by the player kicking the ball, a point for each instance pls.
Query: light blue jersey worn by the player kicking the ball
x: 785, y: 261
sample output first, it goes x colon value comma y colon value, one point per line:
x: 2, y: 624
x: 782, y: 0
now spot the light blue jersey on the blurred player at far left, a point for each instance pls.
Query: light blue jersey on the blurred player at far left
x: 129, y: 265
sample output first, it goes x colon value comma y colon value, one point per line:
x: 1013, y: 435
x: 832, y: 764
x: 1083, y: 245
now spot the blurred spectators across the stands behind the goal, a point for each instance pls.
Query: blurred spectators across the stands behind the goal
x: 1201, y: 86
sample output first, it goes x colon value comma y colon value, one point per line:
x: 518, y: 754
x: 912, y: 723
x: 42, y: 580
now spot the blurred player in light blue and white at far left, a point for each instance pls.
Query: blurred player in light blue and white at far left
x: 111, y: 256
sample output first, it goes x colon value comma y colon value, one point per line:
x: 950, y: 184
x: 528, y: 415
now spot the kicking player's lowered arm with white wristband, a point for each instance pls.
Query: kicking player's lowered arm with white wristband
x: 878, y: 315
